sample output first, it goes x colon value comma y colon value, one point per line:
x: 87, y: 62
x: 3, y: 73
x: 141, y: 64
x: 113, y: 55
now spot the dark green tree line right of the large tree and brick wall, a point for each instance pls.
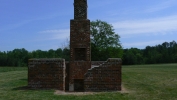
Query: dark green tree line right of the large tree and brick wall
x: 164, y: 53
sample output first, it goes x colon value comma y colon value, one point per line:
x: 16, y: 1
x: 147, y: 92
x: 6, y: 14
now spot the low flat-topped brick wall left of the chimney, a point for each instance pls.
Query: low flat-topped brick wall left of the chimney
x: 46, y: 73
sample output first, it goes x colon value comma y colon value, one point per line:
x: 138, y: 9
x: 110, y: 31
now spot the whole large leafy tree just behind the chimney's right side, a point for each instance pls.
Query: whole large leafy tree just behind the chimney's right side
x: 104, y: 41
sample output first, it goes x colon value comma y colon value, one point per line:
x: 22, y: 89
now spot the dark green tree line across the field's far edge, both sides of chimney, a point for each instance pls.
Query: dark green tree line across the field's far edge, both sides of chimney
x: 162, y: 53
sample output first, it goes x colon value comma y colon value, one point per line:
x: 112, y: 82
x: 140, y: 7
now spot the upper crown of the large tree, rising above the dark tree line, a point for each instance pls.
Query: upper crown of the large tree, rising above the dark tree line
x: 103, y: 35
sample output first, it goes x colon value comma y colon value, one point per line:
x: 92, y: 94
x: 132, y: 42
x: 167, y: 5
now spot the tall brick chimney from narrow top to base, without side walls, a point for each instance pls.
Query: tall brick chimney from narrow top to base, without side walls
x: 80, y: 50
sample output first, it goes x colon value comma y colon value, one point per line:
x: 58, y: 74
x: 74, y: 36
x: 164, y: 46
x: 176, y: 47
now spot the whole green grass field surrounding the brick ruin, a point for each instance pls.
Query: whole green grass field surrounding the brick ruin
x: 142, y: 82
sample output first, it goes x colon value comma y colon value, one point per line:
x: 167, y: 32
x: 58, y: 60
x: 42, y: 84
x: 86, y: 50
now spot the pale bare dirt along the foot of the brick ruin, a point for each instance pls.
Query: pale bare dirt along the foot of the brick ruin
x: 58, y: 92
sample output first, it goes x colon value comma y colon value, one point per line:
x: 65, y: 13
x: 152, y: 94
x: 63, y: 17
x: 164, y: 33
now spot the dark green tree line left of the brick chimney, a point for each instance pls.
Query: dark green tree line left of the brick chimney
x: 19, y: 57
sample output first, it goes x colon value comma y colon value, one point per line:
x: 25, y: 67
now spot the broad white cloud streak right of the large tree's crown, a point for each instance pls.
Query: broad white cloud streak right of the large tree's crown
x: 150, y: 26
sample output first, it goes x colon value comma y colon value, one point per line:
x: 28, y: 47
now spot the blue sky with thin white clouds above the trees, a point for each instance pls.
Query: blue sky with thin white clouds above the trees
x: 45, y: 24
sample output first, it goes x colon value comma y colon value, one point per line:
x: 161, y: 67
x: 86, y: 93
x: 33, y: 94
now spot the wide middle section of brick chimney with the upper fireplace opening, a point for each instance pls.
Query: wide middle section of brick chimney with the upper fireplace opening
x: 80, y: 40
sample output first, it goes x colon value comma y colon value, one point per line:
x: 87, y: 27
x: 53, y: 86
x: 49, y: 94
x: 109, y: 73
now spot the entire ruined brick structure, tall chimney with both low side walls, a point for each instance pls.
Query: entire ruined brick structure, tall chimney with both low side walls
x: 80, y: 73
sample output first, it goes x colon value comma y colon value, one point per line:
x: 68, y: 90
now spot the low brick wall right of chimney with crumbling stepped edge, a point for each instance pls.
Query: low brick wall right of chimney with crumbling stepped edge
x: 106, y: 77
